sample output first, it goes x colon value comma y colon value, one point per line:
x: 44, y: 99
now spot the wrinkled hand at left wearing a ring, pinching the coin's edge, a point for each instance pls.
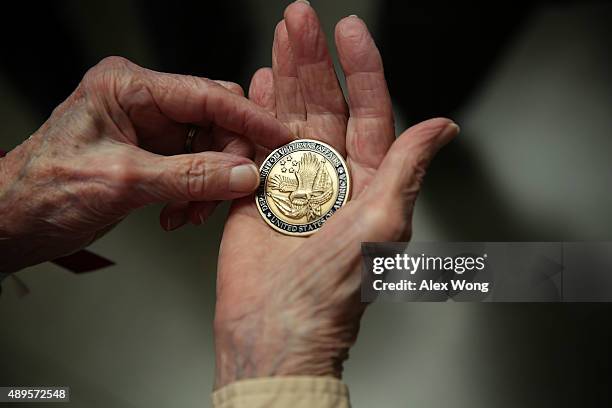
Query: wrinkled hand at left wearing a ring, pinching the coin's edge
x: 103, y: 152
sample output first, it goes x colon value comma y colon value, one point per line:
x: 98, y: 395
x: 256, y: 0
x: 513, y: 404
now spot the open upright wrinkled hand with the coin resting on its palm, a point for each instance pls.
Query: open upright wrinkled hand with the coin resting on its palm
x: 291, y: 305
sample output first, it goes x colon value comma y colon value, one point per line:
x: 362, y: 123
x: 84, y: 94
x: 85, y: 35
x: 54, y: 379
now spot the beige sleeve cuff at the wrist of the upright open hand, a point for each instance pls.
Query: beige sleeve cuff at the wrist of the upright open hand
x: 283, y: 392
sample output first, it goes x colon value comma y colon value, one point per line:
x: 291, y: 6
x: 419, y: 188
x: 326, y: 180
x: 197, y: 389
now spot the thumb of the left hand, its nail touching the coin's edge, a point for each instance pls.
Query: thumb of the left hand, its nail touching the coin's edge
x: 203, y: 176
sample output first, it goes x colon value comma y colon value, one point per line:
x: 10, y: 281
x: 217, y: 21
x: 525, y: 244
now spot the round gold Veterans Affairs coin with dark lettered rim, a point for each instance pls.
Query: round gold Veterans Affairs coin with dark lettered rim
x: 302, y: 184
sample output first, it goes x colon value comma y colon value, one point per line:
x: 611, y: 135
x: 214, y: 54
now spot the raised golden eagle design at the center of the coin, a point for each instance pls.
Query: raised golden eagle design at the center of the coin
x: 309, y: 189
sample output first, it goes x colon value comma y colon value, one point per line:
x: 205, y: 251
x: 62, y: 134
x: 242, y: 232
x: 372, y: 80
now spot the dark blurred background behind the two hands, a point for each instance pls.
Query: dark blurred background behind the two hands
x: 531, y: 86
